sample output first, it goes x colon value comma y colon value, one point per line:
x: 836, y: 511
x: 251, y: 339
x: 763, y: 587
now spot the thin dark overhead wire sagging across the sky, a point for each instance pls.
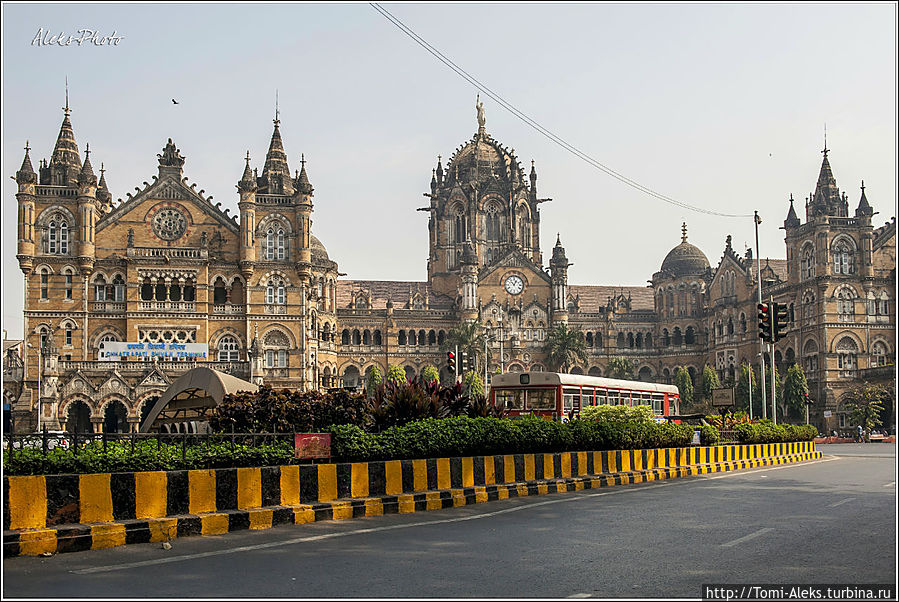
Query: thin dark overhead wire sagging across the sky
x: 539, y: 128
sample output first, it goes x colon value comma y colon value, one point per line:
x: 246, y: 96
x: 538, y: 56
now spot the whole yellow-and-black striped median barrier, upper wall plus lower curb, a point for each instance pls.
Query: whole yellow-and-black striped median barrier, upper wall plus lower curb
x: 67, y: 513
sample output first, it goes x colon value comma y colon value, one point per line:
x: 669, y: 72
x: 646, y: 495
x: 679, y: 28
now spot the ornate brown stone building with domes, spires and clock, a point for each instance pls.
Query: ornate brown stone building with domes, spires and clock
x: 169, y: 265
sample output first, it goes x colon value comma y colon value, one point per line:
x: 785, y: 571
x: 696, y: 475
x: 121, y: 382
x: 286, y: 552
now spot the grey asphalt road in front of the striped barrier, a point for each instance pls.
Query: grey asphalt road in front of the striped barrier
x: 827, y: 521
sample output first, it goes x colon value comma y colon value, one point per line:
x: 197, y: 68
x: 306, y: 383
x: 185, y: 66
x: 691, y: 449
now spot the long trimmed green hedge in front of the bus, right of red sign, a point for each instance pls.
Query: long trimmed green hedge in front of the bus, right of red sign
x: 462, y: 436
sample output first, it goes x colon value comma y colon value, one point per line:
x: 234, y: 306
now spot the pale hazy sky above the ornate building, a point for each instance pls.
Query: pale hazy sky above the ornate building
x: 723, y: 107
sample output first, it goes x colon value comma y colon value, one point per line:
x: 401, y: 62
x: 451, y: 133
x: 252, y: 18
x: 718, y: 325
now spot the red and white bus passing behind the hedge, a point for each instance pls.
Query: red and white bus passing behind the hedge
x: 555, y: 395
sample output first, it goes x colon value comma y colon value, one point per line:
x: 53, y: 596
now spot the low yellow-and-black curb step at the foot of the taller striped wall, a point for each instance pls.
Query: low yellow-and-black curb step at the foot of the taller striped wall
x: 95, y: 536
